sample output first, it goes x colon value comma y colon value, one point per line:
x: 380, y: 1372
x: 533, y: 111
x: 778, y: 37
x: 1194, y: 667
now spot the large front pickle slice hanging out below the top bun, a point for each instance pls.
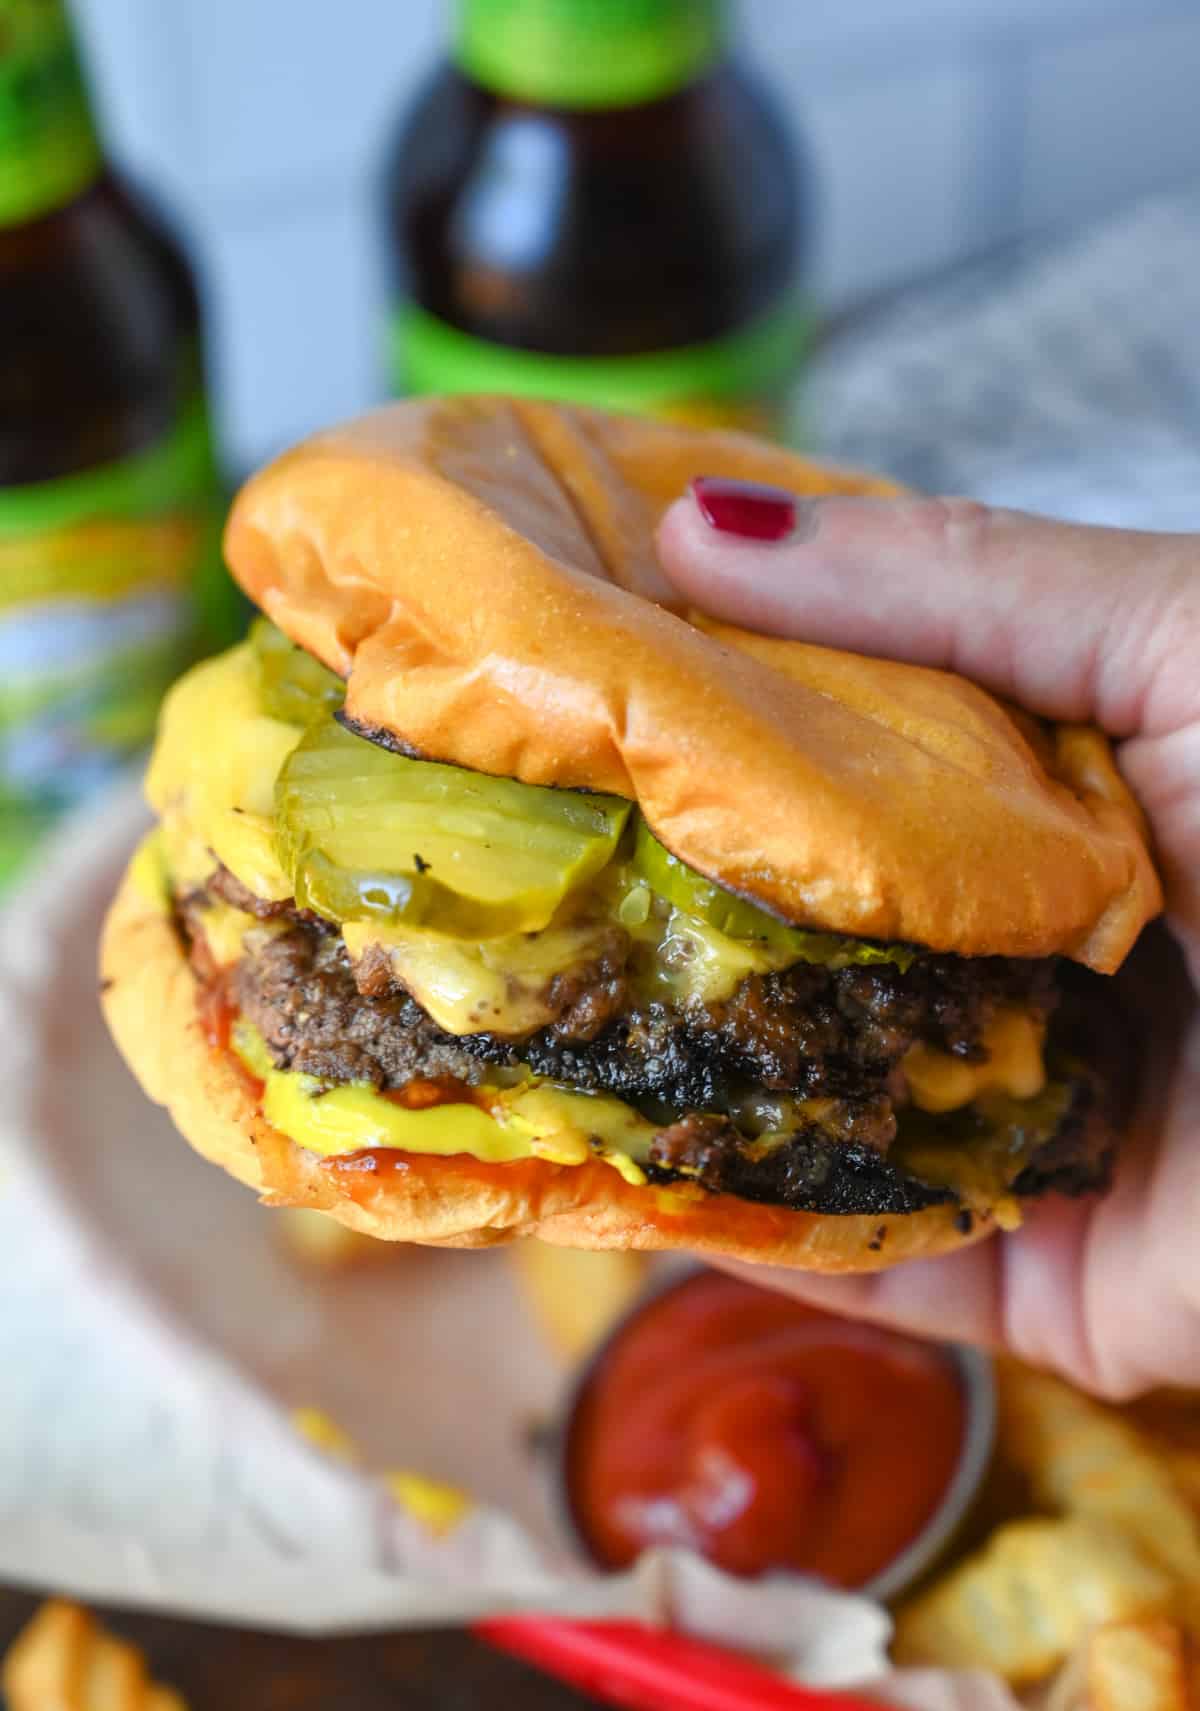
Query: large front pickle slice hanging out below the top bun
x: 372, y: 836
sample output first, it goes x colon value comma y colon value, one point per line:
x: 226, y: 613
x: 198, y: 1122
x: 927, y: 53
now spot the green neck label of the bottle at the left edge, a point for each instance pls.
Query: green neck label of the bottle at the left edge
x: 49, y: 146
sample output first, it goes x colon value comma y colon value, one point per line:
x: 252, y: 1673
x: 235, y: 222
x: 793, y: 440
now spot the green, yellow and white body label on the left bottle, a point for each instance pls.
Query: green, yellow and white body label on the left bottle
x: 107, y: 581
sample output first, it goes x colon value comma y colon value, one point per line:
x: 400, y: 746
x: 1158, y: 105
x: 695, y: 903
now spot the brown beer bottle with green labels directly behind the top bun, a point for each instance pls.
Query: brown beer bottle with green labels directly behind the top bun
x: 593, y: 201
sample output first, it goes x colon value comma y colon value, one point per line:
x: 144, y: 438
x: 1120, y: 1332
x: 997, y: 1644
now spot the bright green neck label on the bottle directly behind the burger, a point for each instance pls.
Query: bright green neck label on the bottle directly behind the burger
x: 588, y: 54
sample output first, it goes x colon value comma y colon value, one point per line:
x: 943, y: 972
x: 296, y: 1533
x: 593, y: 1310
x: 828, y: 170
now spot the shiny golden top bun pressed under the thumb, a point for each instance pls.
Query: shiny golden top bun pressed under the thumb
x: 484, y: 574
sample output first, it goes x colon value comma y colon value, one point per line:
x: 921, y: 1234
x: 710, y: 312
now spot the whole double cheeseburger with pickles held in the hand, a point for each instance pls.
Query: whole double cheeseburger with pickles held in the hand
x: 494, y: 894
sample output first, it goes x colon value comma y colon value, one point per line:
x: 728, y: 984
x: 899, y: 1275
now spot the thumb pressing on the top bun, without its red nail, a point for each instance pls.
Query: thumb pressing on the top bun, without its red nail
x: 1072, y: 622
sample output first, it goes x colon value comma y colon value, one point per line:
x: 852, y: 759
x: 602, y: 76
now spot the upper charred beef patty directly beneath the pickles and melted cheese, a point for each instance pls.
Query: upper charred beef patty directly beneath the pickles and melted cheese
x: 811, y: 1031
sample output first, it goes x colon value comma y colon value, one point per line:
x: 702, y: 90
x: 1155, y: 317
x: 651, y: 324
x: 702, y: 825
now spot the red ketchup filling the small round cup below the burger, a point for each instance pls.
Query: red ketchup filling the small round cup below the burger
x: 764, y: 1435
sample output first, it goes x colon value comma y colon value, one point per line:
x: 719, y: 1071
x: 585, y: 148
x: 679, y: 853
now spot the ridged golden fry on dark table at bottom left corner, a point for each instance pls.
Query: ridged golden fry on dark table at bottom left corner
x: 64, y: 1661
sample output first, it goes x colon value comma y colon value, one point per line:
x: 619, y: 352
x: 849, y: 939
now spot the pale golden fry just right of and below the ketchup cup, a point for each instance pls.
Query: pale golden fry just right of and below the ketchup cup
x: 1025, y: 1602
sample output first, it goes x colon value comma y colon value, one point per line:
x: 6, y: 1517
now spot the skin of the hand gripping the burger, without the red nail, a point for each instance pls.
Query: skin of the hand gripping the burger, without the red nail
x: 1074, y: 624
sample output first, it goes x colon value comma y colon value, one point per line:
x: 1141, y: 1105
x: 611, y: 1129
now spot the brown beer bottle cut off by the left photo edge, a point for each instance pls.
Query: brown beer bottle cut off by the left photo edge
x: 110, y: 571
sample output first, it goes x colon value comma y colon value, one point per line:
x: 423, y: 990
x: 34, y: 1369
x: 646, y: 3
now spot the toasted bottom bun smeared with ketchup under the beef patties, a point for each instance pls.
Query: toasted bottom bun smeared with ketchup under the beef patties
x: 150, y: 998
